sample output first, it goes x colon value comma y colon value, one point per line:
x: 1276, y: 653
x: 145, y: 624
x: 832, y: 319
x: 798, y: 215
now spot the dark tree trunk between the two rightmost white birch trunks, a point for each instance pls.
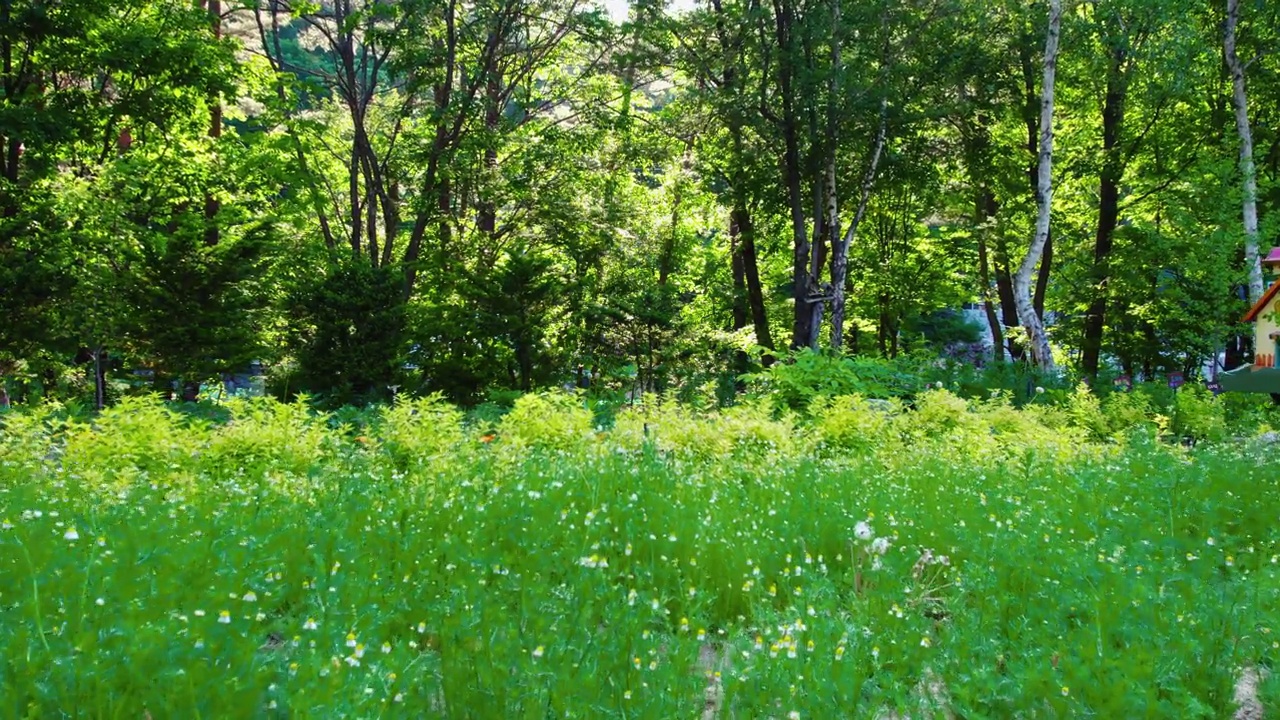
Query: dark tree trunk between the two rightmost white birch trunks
x: 1109, y: 213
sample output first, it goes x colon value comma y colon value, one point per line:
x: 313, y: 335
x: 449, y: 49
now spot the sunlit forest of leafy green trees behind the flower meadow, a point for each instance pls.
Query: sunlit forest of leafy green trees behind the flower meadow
x: 368, y: 198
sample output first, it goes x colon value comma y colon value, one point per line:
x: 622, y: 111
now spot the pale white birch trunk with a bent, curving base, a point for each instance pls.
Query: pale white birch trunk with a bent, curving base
x: 1037, y: 340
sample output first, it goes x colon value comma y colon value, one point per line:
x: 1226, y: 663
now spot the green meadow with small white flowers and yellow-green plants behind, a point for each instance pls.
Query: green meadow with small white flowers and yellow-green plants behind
x: 743, y: 564
